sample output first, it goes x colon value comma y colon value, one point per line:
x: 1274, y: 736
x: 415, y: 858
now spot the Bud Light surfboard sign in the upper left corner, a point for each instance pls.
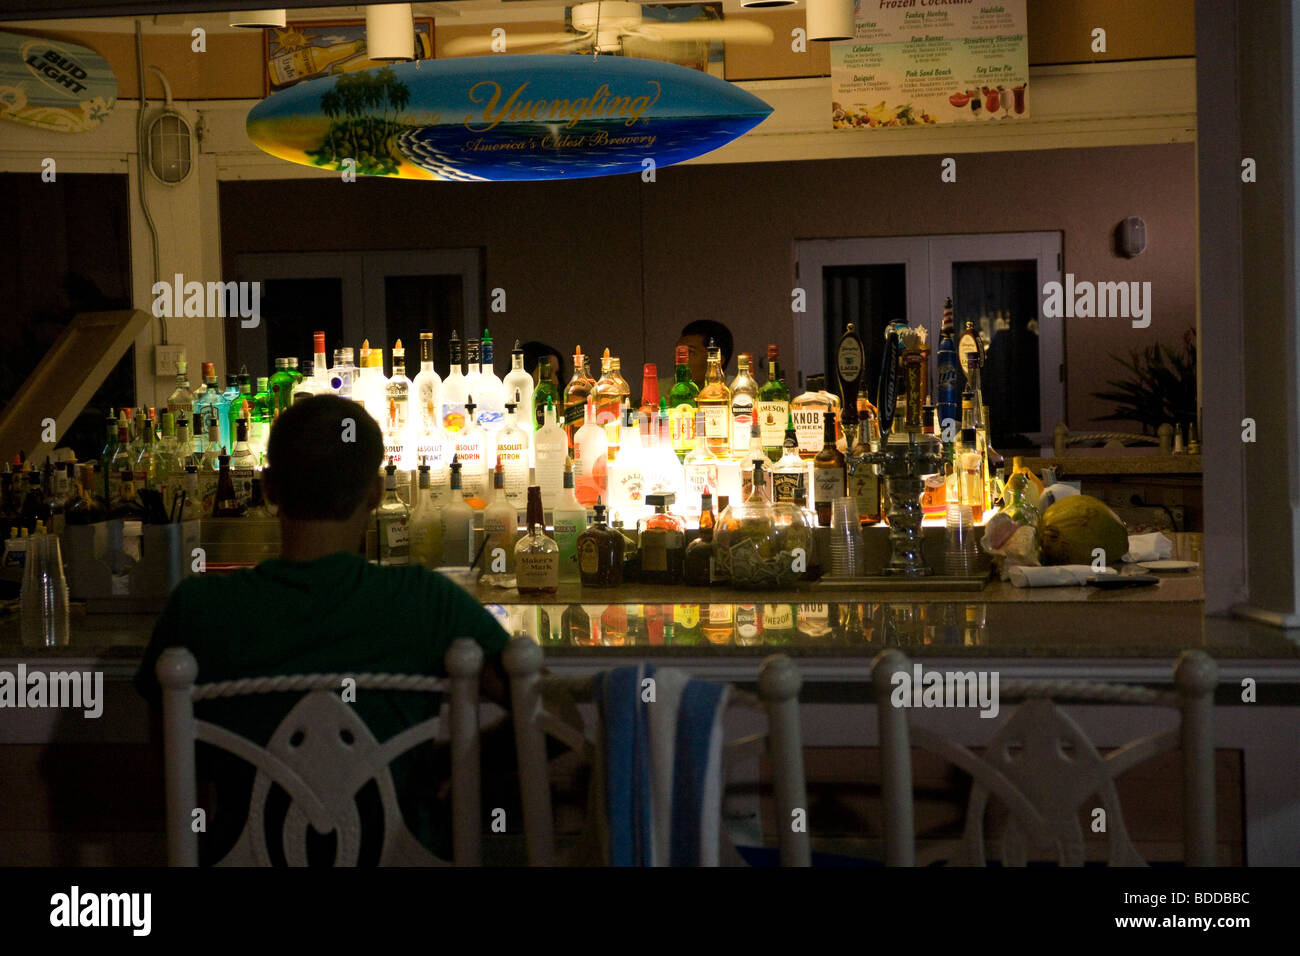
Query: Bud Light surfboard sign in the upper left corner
x: 54, y: 85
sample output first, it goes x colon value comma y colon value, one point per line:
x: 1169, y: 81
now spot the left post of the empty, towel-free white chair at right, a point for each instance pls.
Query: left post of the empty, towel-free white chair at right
x: 900, y: 836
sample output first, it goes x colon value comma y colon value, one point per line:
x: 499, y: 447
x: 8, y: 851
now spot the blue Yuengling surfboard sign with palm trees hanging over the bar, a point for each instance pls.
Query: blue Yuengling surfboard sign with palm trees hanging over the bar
x: 505, y: 118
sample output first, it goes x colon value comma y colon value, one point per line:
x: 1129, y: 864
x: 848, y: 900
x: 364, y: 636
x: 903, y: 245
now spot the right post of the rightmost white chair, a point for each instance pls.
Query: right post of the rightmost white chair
x: 1195, y: 677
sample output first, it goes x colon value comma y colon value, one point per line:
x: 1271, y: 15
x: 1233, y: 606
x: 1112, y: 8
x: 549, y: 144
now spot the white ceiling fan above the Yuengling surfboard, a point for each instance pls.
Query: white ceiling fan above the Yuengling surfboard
x: 604, y: 27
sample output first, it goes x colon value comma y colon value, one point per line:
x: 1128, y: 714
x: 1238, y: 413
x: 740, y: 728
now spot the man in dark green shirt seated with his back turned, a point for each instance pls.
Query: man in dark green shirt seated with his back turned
x: 322, y: 608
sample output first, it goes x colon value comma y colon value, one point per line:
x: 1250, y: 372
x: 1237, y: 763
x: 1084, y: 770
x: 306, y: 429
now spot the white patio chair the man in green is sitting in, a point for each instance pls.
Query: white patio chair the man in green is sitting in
x: 322, y: 755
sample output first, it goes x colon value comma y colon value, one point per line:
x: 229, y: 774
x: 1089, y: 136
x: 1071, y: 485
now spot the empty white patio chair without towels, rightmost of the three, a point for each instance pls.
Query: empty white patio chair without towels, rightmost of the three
x: 1043, y: 769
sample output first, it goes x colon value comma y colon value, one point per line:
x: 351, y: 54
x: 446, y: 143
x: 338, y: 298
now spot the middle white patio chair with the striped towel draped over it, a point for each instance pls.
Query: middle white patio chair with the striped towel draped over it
x: 778, y: 695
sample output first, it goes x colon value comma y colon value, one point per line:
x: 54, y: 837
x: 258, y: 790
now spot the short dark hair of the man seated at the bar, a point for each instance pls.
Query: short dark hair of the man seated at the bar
x: 323, y: 456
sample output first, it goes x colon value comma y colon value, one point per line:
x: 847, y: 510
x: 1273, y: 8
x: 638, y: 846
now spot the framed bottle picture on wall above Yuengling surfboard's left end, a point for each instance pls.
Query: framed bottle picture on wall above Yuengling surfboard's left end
x: 322, y: 49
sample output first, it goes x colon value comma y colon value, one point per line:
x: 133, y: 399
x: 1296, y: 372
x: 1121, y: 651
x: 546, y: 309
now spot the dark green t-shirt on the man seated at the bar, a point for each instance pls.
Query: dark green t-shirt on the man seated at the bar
x: 339, y: 615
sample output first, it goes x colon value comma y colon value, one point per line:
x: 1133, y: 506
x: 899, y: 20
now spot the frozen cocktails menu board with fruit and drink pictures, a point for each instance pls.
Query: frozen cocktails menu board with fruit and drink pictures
x: 921, y: 63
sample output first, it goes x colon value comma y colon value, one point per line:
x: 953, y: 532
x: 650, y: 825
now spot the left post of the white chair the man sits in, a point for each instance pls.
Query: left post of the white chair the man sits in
x: 177, y: 672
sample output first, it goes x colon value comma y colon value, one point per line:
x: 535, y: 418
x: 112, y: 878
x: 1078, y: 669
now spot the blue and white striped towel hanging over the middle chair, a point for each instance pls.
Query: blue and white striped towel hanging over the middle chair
x: 662, y: 767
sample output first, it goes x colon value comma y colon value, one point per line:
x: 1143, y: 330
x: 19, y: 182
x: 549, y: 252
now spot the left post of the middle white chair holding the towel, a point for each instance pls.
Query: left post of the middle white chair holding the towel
x: 523, y: 660
